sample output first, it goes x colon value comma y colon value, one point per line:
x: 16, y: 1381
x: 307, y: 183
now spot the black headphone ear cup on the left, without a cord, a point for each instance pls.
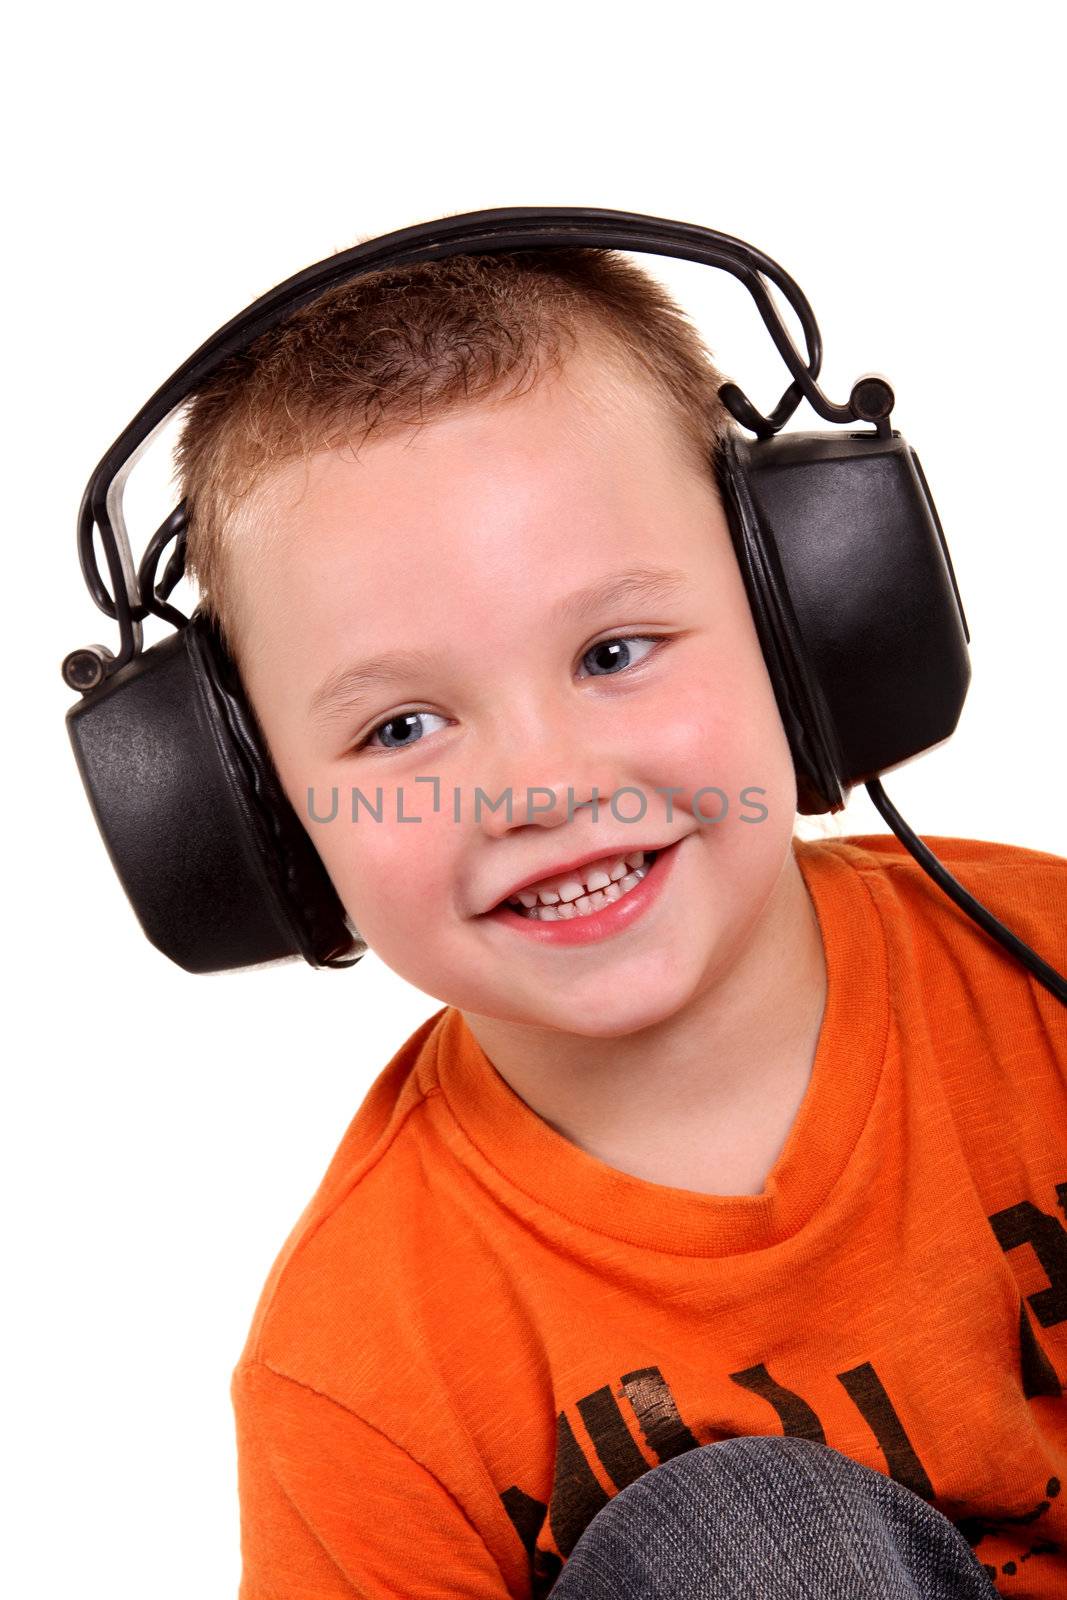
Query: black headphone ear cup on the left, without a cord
x: 217, y: 865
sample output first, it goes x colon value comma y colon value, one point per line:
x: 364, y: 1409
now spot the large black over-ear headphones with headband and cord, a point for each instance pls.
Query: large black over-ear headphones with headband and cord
x: 839, y: 543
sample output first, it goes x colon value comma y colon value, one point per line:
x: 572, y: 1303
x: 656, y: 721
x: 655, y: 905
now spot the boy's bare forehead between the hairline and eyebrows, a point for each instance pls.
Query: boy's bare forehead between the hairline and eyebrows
x: 518, y: 500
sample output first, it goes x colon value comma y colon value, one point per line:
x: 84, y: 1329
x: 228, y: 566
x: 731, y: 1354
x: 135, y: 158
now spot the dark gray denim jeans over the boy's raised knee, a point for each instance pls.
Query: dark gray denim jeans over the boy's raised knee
x: 770, y: 1519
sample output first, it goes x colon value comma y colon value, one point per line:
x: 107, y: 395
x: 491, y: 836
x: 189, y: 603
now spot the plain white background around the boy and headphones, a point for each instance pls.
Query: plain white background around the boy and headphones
x: 167, y: 167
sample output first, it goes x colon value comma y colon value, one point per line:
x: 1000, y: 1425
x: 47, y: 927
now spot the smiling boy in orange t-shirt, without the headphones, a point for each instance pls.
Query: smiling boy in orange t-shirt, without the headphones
x: 721, y: 1137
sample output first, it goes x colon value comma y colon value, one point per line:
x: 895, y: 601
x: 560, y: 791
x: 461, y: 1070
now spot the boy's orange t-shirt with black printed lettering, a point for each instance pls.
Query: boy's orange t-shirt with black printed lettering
x: 478, y: 1334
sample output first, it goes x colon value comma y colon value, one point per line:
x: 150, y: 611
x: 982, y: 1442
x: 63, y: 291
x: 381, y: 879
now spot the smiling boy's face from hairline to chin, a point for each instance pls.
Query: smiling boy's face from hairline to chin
x: 460, y: 542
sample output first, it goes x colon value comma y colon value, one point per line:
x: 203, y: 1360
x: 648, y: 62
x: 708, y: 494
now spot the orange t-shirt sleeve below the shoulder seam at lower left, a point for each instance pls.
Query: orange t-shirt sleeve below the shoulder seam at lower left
x: 332, y: 1508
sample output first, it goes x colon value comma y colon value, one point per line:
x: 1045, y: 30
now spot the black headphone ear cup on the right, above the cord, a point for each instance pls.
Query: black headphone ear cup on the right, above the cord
x: 853, y: 598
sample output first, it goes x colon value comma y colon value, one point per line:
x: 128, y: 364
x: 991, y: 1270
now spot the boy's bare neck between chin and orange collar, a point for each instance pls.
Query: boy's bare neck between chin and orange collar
x: 706, y: 1098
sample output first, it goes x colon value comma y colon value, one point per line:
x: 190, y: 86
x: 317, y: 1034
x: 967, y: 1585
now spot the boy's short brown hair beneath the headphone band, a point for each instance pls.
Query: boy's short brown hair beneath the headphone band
x: 407, y: 346
